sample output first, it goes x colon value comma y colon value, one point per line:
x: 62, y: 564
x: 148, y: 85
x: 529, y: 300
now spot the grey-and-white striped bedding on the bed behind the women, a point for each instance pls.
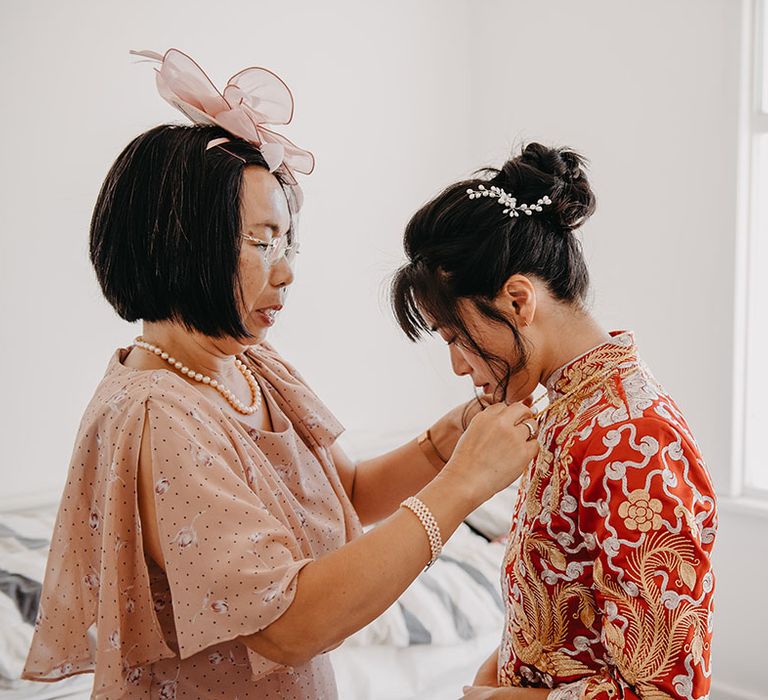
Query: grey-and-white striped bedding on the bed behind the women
x: 454, y: 602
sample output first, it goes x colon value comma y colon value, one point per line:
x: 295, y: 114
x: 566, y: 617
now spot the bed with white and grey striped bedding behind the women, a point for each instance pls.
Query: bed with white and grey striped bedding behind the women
x: 427, y: 645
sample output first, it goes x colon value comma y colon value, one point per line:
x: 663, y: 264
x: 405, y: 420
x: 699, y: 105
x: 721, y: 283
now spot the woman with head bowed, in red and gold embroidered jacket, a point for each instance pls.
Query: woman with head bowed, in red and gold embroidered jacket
x: 608, y: 576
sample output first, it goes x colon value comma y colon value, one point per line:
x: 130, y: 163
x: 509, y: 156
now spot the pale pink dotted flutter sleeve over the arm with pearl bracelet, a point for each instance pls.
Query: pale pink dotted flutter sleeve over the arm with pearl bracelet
x: 231, y: 557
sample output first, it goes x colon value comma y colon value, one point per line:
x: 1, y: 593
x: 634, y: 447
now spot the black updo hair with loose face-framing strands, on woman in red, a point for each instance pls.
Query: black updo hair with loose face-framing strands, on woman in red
x: 462, y: 248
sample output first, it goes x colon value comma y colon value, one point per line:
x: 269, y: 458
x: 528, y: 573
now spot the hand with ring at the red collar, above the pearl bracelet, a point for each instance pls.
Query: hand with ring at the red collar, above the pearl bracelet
x: 494, y: 451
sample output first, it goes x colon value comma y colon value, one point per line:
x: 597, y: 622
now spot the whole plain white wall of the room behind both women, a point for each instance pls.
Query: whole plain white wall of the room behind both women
x: 396, y: 99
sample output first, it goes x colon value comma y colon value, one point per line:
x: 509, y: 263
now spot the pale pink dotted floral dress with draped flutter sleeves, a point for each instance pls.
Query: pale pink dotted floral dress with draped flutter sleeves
x: 239, y: 513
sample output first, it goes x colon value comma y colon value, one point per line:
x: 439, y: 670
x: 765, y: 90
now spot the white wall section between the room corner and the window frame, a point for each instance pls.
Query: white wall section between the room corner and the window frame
x: 648, y: 91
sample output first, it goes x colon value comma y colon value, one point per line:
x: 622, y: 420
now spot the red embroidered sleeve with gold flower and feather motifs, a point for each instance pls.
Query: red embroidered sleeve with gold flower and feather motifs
x: 647, y: 500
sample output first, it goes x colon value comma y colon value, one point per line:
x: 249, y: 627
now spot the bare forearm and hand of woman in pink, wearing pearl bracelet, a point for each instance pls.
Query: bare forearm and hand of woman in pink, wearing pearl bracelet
x: 343, y: 591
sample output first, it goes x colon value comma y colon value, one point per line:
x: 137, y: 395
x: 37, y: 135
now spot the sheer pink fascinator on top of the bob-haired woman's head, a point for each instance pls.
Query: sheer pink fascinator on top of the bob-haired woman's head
x: 252, y: 98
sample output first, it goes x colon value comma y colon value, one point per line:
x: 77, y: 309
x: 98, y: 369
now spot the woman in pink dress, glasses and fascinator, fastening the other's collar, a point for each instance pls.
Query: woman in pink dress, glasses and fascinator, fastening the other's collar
x: 208, y: 543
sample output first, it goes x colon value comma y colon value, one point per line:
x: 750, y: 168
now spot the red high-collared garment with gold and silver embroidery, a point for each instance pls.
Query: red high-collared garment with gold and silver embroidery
x: 608, y: 577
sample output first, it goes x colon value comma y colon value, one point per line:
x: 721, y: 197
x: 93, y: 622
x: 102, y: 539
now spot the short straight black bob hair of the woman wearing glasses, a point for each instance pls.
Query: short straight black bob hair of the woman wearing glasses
x: 165, y: 233
